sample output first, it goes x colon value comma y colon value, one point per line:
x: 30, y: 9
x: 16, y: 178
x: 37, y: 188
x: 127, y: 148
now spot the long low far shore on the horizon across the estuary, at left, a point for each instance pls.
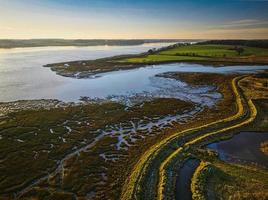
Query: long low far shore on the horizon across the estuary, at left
x: 5, y: 43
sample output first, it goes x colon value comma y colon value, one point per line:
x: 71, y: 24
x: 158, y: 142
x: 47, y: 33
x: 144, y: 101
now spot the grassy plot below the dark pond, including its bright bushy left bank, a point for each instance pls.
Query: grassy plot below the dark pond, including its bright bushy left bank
x: 222, y: 180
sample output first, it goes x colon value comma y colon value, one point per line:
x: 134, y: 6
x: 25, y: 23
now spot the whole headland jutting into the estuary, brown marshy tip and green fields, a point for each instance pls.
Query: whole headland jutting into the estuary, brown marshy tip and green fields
x: 215, y: 55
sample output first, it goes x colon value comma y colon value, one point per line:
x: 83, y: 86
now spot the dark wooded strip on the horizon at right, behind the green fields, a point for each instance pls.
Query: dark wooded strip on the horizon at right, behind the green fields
x: 249, y: 43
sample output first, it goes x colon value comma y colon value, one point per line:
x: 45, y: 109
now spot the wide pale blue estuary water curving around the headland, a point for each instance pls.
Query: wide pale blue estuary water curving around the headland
x: 23, y: 77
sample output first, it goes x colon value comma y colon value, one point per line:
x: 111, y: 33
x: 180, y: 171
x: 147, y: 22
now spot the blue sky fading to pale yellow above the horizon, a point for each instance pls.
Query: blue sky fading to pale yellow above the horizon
x: 134, y: 19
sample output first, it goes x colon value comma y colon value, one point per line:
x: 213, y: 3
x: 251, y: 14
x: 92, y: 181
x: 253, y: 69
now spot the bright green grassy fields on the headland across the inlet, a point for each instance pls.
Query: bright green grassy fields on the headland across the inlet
x: 201, y: 53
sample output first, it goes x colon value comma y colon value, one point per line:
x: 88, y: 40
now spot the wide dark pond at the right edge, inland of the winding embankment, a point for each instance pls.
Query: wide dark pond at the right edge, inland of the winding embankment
x: 243, y: 148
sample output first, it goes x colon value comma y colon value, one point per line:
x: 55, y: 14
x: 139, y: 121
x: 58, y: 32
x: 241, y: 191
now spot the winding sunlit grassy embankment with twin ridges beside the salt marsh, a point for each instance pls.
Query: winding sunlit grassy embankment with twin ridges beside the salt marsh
x: 132, y: 186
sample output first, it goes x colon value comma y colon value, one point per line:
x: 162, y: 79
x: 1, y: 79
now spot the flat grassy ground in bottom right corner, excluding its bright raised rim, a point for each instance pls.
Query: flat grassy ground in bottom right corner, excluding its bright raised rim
x: 231, y: 181
